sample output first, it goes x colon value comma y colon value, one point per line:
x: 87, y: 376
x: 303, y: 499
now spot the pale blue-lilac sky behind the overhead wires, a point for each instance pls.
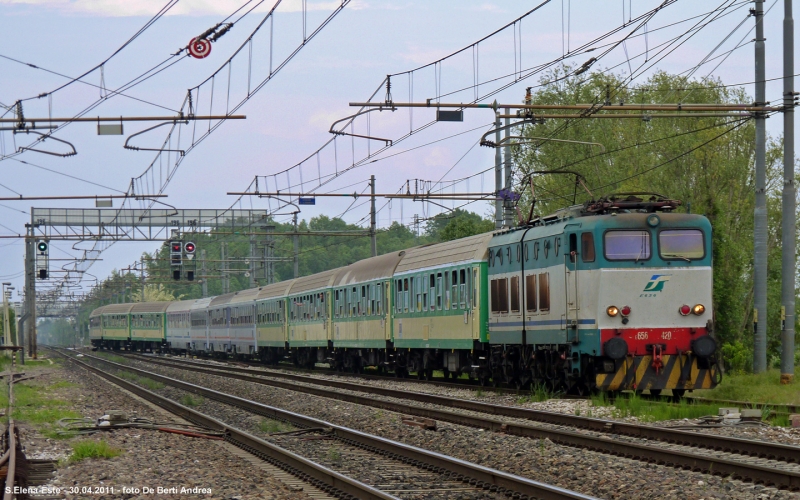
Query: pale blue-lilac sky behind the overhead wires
x: 289, y: 117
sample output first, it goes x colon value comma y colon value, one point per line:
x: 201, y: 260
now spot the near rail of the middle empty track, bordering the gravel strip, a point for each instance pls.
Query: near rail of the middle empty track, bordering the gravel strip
x: 648, y: 453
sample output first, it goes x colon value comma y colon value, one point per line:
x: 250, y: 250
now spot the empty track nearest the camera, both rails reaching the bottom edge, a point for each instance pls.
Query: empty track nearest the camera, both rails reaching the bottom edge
x: 411, y: 471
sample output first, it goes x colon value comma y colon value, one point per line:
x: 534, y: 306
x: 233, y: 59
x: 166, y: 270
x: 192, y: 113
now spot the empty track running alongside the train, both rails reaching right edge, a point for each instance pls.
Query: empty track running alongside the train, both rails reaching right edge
x: 606, y: 438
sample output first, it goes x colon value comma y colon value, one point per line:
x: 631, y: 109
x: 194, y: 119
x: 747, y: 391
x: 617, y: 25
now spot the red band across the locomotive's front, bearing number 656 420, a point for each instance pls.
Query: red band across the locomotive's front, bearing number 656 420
x: 641, y: 340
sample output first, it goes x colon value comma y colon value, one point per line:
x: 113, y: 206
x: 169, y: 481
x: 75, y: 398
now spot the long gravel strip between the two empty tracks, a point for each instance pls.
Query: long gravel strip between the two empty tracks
x: 580, y: 470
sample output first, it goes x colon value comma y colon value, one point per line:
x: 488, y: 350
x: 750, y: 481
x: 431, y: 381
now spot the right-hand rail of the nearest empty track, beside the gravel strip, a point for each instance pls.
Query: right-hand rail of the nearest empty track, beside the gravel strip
x: 484, y: 476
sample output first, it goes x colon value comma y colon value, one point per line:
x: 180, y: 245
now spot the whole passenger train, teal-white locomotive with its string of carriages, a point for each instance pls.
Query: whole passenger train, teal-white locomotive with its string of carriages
x: 609, y: 295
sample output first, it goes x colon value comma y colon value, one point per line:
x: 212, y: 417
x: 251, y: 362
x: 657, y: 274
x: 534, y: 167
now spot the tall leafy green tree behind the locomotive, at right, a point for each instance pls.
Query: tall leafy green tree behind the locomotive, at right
x: 705, y: 162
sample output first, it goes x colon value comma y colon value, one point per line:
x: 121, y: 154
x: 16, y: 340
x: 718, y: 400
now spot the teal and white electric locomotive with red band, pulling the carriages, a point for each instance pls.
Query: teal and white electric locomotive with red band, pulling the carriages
x: 614, y: 294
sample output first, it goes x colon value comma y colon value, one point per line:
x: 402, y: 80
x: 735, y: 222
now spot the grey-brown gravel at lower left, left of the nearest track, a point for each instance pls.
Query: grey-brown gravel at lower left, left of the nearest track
x: 150, y: 458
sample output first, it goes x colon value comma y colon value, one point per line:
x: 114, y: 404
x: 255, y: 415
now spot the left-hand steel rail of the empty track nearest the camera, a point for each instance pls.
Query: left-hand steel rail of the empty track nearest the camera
x: 320, y: 476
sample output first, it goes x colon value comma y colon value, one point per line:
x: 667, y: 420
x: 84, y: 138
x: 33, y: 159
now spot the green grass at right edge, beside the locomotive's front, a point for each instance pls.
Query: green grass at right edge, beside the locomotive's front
x: 761, y: 388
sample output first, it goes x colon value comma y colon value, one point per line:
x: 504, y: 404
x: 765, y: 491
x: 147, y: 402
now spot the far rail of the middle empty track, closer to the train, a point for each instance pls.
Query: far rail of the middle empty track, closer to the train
x: 775, y: 451
